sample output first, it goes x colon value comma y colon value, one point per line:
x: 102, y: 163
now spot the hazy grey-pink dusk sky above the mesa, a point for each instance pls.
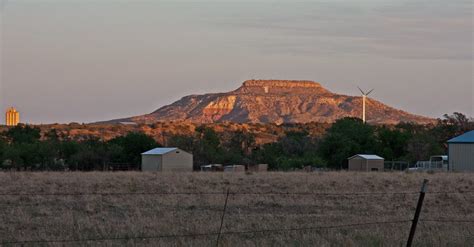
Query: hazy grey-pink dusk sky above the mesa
x: 83, y: 61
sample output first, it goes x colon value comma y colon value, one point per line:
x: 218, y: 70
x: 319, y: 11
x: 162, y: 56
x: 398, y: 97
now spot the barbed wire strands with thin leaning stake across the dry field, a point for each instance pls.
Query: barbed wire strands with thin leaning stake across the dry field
x: 227, y: 195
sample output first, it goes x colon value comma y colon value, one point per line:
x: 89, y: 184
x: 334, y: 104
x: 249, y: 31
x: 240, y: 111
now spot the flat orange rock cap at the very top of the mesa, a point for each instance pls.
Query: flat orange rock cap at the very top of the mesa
x: 280, y: 86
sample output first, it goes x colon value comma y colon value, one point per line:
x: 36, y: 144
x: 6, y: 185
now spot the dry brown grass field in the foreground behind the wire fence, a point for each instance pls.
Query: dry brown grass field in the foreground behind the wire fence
x: 316, y: 209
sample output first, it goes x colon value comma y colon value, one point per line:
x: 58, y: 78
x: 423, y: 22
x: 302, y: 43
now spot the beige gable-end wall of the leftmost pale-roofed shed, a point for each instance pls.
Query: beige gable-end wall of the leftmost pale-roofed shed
x: 177, y: 161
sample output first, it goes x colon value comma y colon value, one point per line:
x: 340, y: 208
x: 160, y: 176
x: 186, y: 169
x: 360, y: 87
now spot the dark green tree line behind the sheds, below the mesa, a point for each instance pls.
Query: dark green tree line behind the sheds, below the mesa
x: 24, y: 147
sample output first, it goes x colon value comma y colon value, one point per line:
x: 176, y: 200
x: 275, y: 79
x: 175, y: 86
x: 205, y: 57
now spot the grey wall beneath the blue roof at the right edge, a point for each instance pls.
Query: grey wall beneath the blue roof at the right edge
x: 461, y: 157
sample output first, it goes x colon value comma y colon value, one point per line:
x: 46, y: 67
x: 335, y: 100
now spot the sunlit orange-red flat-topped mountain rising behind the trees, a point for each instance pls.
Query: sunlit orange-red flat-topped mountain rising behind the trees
x: 276, y: 101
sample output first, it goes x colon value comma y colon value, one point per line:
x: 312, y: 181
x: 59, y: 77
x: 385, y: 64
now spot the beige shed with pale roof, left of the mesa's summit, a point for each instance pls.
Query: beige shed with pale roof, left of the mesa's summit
x: 167, y: 160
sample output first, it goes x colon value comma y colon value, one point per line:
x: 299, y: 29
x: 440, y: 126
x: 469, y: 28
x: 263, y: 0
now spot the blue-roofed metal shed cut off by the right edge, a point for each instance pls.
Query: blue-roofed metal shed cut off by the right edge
x: 461, y: 152
